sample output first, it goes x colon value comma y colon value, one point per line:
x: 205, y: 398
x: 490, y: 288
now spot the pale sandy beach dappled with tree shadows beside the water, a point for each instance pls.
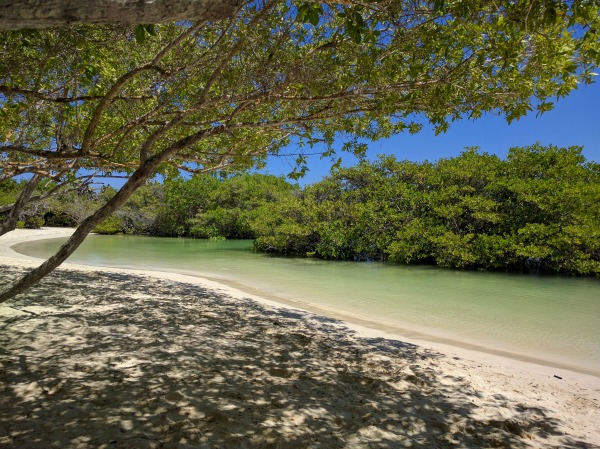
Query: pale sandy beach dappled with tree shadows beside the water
x: 108, y: 358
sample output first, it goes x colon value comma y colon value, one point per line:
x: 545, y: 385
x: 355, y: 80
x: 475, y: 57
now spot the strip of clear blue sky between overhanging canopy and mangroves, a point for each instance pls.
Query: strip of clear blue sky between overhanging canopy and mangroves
x: 575, y: 120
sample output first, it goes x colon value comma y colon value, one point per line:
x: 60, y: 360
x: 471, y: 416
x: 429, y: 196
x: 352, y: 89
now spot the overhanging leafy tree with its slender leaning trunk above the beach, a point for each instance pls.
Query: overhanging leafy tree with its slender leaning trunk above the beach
x: 201, y: 96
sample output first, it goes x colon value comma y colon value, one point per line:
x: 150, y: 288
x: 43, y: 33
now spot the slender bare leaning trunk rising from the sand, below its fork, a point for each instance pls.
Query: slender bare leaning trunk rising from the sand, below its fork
x: 136, y: 180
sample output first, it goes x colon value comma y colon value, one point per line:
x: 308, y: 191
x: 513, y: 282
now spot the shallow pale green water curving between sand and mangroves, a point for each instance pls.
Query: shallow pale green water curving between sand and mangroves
x: 555, y: 319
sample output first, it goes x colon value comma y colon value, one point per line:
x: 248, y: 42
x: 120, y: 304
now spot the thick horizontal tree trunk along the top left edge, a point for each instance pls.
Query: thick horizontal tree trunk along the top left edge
x: 38, y: 14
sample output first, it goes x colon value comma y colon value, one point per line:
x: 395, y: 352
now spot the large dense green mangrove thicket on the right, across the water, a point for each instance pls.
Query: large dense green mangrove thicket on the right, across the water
x: 537, y: 210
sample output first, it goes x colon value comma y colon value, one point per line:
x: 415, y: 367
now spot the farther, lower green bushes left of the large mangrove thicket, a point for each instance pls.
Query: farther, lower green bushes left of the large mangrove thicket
x: 202, y: 206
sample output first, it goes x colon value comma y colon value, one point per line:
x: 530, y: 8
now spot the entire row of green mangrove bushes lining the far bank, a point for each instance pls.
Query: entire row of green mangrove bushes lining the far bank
x: 536, y: 210
